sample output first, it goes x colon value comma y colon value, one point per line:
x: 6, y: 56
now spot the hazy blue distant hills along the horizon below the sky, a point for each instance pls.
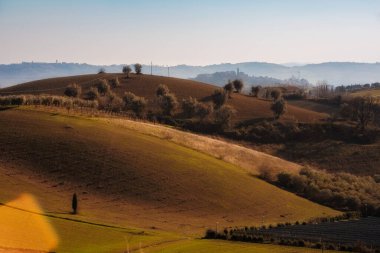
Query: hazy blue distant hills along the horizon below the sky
x: 335, y: 73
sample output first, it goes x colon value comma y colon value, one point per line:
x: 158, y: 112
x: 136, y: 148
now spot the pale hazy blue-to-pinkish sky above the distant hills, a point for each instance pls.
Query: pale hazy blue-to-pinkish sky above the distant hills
x: 196, y: 32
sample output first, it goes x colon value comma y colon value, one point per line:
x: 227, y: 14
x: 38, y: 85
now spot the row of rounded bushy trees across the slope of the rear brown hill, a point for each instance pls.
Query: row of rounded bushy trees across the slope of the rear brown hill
x: 216, y: 114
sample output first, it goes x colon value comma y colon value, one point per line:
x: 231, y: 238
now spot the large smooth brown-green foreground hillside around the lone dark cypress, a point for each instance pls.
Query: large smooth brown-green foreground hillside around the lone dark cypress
x: 130, y: 180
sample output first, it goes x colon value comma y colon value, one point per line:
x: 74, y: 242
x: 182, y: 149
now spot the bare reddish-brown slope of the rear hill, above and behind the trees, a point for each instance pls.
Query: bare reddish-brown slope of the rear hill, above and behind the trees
x: 145, y: 85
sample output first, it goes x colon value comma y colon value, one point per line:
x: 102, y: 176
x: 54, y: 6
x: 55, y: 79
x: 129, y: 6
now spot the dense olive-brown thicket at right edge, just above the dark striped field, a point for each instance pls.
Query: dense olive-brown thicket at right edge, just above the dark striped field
x: 342, y: 191
